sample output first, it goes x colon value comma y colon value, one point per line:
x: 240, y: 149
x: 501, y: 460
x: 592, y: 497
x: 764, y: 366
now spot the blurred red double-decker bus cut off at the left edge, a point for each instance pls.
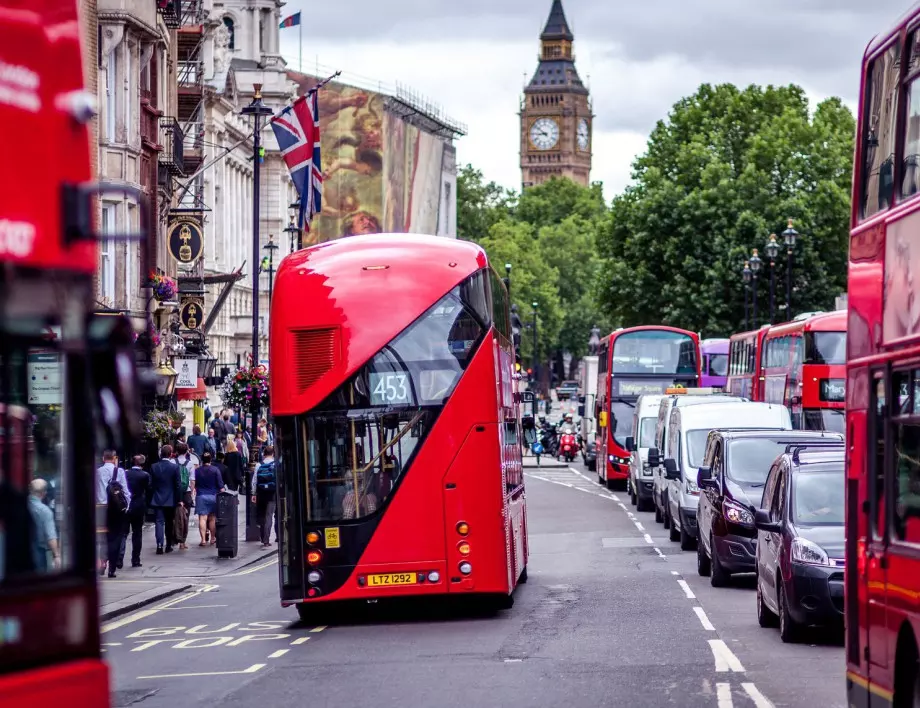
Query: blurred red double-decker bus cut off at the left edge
x: 61, y: 370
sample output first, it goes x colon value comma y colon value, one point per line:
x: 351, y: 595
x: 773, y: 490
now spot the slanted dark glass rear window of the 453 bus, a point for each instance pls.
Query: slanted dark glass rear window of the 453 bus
x: 357, y: 445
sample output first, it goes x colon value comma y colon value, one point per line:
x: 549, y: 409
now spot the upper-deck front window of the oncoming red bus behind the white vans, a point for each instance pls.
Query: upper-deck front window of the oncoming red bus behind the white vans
x: 654, y: 352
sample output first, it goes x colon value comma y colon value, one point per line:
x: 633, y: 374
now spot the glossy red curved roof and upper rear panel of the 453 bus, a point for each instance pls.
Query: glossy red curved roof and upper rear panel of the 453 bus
x: 337, y: 304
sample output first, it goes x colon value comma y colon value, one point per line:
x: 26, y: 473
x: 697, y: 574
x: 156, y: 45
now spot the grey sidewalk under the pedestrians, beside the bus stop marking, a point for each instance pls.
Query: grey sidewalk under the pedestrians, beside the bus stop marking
x: 171, y: 573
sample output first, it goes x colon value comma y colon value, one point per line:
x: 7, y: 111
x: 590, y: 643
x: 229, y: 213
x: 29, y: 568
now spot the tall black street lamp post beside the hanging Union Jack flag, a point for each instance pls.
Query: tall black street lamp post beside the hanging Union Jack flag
x: 257, y: 110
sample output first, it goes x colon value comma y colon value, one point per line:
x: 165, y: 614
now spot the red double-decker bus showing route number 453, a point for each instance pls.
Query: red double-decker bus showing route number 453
x: 393, y: 392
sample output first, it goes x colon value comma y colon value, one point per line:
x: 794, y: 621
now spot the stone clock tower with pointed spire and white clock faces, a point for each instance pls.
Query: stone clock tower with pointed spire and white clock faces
x: 556, y: 119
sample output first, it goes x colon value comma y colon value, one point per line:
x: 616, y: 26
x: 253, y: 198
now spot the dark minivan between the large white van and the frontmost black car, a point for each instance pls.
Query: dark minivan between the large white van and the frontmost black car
x: 735, y: 468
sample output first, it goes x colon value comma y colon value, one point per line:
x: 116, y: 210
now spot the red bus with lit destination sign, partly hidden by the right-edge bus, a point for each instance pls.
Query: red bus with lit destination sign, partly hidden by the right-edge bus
x: 804, y: 368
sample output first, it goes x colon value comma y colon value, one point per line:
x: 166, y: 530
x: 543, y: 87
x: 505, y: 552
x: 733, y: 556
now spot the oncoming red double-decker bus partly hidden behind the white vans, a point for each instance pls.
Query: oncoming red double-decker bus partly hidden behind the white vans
x: 632, y: 362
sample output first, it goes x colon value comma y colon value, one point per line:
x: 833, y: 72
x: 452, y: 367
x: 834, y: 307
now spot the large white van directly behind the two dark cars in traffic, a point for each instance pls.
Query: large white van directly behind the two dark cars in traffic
x: 688, y: 432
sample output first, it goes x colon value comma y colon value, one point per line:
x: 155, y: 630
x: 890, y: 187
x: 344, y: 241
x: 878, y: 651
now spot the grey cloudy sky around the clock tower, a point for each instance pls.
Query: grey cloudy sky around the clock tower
x: 473, y: 58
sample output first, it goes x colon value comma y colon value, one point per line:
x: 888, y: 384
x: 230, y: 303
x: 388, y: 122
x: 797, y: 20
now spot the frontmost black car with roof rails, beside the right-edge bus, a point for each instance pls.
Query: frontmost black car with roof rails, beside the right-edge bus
x: 800, y: 542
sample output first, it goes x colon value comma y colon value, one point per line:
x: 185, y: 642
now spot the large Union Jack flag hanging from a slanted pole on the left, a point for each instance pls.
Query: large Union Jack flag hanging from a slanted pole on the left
x: 297, y: 130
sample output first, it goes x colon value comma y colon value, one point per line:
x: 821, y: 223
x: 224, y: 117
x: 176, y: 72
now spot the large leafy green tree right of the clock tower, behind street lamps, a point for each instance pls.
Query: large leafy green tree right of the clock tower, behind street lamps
x: 726, y: 169
